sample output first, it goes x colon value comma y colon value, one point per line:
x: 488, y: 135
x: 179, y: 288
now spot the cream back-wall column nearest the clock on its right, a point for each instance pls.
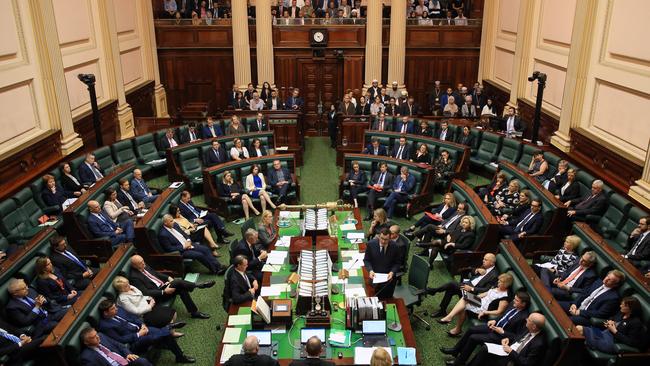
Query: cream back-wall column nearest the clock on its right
x: 373, y: 43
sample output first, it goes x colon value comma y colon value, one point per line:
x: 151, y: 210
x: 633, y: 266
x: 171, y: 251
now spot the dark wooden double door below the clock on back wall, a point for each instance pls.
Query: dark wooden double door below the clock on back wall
x: 318, y: 79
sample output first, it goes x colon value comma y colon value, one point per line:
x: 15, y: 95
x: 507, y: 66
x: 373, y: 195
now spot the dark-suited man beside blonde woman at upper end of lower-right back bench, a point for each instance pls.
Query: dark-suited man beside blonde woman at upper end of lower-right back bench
x: 574, y: 280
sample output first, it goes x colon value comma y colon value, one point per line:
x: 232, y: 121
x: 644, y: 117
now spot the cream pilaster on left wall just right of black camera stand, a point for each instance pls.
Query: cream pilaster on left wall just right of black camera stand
x: 115, y: 80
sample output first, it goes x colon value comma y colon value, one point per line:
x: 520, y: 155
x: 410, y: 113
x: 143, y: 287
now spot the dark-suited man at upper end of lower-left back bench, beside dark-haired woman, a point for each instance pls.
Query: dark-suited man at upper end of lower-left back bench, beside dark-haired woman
x: 75, y: 270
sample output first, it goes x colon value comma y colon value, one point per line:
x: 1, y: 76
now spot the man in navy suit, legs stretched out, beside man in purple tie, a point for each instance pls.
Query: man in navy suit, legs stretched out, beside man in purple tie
x: 128, y: 329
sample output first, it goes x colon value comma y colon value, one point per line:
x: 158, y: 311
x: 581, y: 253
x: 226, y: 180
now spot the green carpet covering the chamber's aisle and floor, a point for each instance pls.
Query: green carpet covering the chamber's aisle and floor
x: 319, y: 183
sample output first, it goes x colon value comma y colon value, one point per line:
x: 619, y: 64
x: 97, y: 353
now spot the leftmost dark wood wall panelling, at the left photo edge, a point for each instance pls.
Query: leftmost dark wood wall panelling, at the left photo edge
x: 26, y: 165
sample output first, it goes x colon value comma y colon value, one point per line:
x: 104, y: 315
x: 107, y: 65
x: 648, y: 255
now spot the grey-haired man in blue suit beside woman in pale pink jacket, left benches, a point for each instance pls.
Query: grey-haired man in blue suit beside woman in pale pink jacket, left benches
x: 100, y: 225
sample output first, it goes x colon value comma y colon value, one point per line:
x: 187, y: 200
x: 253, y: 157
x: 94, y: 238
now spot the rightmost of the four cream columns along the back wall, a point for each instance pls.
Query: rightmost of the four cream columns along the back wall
x: 397, y: 47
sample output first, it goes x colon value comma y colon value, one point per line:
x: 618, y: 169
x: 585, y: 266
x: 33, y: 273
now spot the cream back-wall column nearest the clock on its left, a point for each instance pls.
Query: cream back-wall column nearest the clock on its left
x: 264, y: 32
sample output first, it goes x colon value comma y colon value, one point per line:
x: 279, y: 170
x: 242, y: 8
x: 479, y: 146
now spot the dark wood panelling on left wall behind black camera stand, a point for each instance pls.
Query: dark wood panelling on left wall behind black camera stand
x: 108, y: 119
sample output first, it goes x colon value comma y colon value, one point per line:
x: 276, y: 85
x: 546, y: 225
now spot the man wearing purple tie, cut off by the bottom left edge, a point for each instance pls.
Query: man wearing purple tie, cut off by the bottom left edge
x: 101, y: 350
